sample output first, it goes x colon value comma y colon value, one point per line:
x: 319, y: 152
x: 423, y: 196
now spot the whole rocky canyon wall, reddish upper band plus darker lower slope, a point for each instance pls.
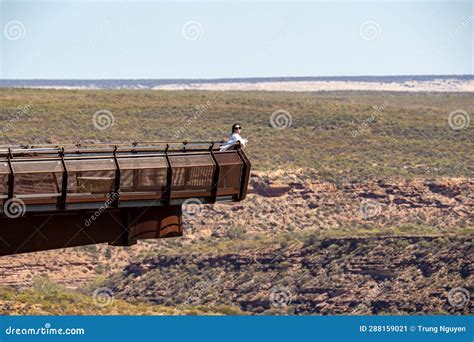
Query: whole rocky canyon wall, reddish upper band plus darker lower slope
x: 420, y: 249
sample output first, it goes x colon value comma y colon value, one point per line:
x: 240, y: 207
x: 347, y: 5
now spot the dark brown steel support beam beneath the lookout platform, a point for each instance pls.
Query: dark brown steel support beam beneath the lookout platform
x: 119, y: 227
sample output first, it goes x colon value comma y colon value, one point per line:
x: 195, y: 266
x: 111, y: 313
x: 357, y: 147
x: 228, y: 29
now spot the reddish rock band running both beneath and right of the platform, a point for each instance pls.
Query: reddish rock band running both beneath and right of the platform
x: 278, y: 202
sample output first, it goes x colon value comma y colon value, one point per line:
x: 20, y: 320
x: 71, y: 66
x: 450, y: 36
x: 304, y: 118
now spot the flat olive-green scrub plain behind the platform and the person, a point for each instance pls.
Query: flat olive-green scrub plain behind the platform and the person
x: 342, y: 134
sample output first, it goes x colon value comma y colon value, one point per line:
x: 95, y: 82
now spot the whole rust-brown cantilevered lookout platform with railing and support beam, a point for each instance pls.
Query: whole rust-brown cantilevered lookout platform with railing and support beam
x: 65, y: 196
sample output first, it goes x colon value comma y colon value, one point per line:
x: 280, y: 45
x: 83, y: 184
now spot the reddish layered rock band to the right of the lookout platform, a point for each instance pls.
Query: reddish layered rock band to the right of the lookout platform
x: 282, y: 201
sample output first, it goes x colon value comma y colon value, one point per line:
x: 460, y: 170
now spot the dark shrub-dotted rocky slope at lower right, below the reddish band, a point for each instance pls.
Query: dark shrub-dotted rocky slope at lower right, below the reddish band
x: 331, y: 276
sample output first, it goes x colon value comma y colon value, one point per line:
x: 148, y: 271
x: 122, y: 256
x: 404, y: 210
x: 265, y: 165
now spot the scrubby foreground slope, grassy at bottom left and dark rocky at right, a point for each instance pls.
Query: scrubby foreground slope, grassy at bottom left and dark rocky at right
x: 297, y: 273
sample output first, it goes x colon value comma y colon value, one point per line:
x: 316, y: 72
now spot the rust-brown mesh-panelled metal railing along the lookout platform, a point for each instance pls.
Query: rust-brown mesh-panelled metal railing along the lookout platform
x: 67, y: 174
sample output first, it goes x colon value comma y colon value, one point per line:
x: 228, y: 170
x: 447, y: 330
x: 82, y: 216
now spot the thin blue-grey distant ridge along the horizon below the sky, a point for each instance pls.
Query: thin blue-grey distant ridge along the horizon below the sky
x: 150, y: 83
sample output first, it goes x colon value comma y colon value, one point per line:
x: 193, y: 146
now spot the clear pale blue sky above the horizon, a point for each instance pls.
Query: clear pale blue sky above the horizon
x: 156, y: 39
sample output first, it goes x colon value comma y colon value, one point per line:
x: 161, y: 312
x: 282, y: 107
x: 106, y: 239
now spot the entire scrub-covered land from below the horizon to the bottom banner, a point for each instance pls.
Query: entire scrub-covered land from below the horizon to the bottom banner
x: 324, y: 258
